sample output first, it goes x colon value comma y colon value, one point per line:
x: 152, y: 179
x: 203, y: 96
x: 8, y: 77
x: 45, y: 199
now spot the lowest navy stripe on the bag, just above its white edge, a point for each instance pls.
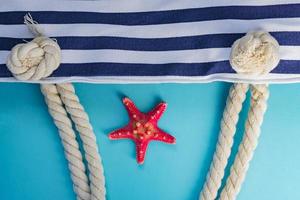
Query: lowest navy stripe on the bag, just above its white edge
x: 172, y: 69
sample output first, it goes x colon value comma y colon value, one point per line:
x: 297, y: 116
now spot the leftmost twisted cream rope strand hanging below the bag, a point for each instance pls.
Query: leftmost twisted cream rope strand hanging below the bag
x: 68, y: 138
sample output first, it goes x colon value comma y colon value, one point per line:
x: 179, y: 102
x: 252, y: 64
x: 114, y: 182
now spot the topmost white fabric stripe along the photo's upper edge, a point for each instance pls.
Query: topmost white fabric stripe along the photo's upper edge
x: 126, y: 5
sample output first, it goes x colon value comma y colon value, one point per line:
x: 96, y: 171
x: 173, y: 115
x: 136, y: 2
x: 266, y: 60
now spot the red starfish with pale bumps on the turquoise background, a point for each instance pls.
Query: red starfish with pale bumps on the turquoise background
x: 142, y: 128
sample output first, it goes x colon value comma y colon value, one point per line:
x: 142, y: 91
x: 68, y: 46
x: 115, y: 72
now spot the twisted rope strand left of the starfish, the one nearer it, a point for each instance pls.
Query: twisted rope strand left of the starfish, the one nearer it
x: 87, y: 135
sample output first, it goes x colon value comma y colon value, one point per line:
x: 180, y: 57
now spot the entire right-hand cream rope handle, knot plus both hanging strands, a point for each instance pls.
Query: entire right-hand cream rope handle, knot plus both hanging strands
x: 255, y: 54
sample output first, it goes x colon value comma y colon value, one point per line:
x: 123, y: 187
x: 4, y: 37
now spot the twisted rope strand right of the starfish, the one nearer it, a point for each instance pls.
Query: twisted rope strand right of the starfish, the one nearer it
x: 235, y: 99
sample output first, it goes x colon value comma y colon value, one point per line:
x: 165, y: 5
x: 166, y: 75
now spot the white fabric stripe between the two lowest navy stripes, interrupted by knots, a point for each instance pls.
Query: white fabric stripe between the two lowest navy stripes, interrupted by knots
x: 156, y: 57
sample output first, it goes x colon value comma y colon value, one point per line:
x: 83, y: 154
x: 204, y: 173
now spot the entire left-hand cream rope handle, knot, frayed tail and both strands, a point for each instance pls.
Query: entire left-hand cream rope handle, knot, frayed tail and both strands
x: 36, y: 60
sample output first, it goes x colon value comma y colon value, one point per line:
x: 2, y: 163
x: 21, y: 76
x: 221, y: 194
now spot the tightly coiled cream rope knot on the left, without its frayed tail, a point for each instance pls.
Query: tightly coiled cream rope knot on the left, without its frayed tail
x: 34, y: 60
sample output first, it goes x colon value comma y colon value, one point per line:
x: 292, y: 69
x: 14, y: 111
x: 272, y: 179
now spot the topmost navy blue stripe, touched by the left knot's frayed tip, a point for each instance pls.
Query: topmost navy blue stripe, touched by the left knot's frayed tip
x: 157, y: 17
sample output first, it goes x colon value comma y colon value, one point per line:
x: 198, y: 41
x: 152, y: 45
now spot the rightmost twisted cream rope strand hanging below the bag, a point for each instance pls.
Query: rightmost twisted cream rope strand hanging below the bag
x: 260, y: 95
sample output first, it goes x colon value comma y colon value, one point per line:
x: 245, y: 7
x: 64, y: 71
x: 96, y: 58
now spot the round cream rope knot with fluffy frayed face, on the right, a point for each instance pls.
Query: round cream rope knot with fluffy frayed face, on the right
x: 257, y: 53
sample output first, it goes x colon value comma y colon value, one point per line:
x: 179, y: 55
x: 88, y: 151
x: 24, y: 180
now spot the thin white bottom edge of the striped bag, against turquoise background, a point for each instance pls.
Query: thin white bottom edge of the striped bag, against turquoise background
x: 270, y: 78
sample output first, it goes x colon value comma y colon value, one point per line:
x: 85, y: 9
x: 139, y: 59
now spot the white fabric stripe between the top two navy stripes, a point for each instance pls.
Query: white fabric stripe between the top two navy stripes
x: 156, y: 31
